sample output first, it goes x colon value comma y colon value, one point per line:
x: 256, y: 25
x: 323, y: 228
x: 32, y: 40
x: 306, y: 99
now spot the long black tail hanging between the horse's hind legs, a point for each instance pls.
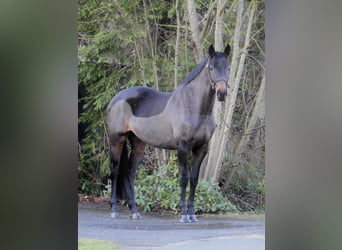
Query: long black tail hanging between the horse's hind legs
x: 123, y: 190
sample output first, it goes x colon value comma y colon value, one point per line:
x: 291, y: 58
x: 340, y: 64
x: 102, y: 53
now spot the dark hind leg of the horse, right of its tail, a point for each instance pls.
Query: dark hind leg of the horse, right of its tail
x: 137, y: 151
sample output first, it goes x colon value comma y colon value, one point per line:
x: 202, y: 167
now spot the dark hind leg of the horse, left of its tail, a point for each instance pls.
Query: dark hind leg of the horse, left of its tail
x: 117, y: 144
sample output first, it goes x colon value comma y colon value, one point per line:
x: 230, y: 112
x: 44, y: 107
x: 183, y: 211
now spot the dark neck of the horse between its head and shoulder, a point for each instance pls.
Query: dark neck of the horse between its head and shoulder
x: 200, y: 93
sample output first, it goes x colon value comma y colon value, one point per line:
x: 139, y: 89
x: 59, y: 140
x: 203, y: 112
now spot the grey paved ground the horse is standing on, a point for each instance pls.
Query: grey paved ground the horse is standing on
x: 155, y: 231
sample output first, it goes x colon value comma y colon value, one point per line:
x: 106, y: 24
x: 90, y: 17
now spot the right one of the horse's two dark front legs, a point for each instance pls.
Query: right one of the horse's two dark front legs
x: 197, y: 158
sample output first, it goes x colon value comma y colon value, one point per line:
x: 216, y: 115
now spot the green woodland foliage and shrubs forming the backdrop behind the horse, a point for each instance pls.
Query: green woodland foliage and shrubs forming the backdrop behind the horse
x: 126, y: 43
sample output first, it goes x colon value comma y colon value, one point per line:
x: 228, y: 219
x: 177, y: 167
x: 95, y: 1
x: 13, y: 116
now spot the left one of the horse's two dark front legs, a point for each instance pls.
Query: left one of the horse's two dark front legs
x: 183, y: 151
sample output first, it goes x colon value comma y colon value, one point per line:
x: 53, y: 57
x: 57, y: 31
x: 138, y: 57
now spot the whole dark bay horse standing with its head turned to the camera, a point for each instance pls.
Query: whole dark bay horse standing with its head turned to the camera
x: 181, y: 120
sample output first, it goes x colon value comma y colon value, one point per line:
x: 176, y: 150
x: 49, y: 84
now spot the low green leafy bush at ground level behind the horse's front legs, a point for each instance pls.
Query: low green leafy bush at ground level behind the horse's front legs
x: 161, y: 191
